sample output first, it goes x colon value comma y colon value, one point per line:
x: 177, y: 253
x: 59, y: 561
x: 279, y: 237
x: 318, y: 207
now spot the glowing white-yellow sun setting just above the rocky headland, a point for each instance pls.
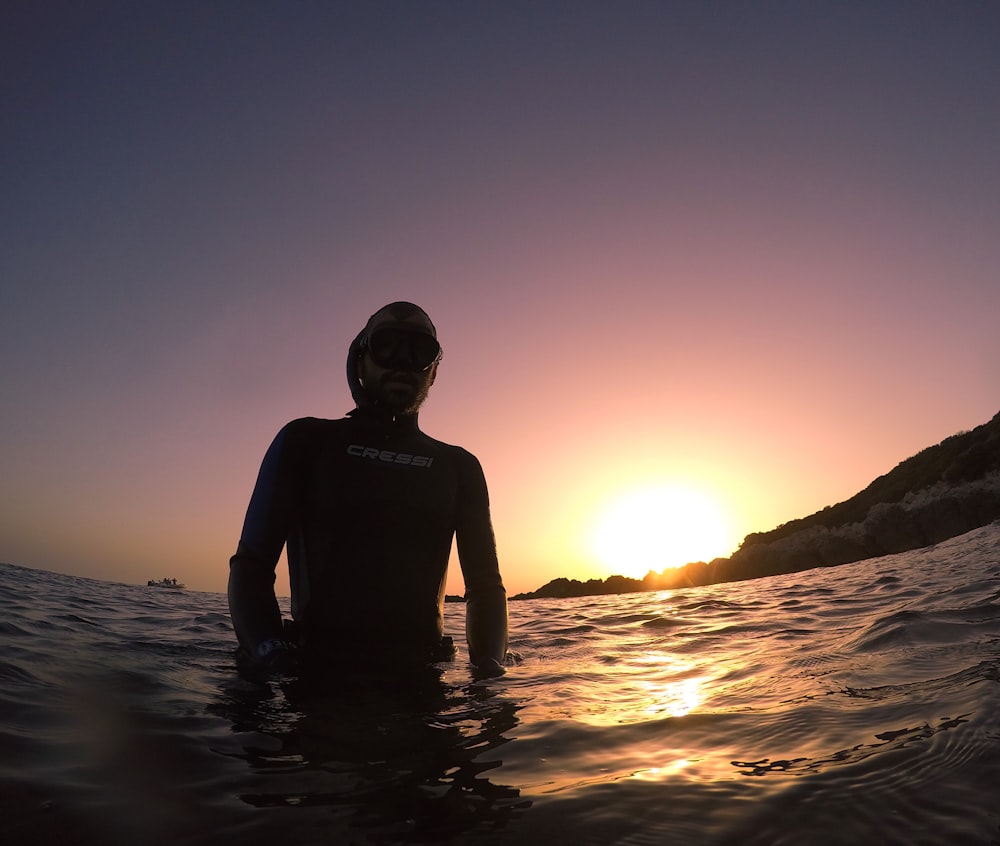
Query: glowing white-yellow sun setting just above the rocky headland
x: 658, y: 527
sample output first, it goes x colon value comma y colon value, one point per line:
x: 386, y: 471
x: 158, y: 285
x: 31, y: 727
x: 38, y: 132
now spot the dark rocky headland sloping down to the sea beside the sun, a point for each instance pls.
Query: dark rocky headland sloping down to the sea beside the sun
x: 943, y: 491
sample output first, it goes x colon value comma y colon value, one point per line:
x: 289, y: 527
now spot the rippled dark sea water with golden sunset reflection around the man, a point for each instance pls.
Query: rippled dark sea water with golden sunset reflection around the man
x: 852, y: 705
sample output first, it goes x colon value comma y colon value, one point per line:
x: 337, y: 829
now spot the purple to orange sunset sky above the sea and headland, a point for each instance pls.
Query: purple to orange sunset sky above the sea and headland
x: 744, y: 254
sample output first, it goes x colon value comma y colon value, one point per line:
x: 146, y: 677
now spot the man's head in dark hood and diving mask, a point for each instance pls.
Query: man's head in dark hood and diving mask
x: 393, y: 360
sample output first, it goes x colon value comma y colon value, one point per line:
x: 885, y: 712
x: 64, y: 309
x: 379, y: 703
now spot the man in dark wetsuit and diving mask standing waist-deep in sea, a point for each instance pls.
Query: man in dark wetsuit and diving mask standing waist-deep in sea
x: 368, y: 506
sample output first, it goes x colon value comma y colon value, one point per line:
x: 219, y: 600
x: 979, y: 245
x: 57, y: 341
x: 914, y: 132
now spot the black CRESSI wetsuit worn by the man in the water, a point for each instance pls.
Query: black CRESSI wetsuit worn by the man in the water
x: 368, y: 507
